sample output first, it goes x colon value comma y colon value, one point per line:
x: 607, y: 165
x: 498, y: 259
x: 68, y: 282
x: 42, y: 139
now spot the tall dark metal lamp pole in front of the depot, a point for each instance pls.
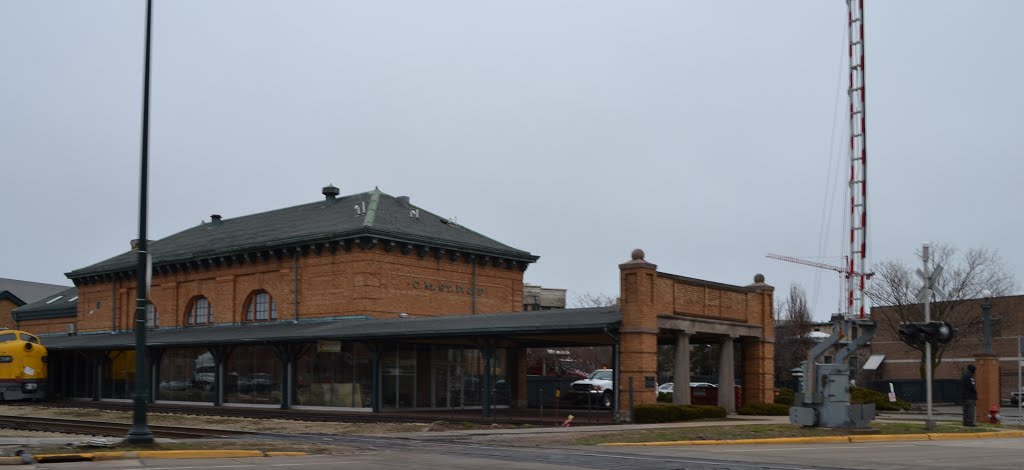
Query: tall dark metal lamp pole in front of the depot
x: 140, y: 434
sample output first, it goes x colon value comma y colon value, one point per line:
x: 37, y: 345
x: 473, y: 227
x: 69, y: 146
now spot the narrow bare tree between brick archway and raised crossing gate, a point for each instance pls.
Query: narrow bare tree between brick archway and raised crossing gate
x: 793, y: 324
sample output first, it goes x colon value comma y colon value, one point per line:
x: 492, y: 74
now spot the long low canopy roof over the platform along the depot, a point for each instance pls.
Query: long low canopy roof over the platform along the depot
x: 567, y: 327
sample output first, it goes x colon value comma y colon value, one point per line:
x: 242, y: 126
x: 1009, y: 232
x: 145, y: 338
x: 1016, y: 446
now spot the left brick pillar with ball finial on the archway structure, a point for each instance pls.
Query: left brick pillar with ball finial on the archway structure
x: 638, y: 339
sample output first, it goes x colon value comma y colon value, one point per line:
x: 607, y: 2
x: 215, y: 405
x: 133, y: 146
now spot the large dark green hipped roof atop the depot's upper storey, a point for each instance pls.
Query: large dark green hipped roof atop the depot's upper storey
x: 371, y: 215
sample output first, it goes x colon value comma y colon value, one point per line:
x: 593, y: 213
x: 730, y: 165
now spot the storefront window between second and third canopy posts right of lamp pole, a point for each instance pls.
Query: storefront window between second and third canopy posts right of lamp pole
x: 253, y: 375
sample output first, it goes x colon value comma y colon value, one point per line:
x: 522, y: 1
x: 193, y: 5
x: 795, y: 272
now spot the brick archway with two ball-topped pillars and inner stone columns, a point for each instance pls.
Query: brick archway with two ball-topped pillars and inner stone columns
x: 657, y: 304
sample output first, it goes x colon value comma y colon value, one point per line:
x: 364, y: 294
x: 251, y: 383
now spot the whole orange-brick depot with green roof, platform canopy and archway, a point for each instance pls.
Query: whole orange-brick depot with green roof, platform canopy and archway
x: 370, y: 303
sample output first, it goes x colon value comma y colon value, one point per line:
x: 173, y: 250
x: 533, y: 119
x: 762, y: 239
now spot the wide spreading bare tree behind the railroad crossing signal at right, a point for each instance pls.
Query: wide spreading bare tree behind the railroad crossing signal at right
x: 894, y: 288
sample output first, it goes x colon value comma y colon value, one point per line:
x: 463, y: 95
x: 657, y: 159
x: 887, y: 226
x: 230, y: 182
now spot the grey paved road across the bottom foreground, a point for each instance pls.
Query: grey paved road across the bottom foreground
x: 375, y: 454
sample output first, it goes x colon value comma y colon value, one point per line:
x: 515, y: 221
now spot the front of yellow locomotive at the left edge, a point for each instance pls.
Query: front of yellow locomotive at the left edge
x: 23, y: 366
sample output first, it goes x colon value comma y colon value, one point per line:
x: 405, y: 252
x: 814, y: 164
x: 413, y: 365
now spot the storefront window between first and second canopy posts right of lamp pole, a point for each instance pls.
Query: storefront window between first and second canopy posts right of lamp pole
x: 187, y: 375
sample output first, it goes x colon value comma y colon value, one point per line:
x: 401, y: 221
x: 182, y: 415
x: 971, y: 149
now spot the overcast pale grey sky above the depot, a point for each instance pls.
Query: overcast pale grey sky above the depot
x: 705, y: 133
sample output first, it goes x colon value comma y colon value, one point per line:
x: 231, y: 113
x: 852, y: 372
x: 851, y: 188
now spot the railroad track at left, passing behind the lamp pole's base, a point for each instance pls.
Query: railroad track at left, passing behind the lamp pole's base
x: 106, y: 429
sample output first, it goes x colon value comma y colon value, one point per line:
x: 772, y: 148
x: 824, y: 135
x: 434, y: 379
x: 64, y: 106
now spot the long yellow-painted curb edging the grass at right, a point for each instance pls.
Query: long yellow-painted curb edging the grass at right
x: 850, y: 439
